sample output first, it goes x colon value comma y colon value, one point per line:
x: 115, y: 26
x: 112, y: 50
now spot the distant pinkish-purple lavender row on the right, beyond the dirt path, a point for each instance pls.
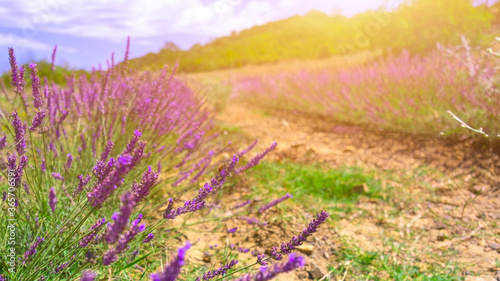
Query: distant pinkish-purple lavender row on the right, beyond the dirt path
x: 405, y: 93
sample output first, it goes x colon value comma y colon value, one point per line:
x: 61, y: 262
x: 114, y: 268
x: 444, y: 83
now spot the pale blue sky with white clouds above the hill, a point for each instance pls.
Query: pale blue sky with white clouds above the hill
x: 88, y: 31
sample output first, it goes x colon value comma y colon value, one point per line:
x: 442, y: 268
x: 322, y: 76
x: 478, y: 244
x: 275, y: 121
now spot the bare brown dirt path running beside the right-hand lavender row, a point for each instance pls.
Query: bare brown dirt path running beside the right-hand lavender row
x: 464, y: 170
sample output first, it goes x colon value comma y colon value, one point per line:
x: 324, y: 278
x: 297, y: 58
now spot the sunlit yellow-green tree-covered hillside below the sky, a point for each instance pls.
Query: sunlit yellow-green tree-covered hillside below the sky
x: 416, y: 26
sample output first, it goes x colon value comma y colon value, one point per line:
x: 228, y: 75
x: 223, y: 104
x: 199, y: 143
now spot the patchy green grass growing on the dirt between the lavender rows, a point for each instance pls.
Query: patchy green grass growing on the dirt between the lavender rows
x: 337, y: 190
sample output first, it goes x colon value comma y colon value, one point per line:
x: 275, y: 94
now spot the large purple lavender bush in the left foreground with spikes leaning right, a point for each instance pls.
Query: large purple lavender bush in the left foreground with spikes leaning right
x: 79, y: 179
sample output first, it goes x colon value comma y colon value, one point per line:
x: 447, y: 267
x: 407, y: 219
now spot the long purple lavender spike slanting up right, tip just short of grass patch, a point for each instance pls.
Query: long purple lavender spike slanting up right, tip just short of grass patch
x: 199, y: 201
